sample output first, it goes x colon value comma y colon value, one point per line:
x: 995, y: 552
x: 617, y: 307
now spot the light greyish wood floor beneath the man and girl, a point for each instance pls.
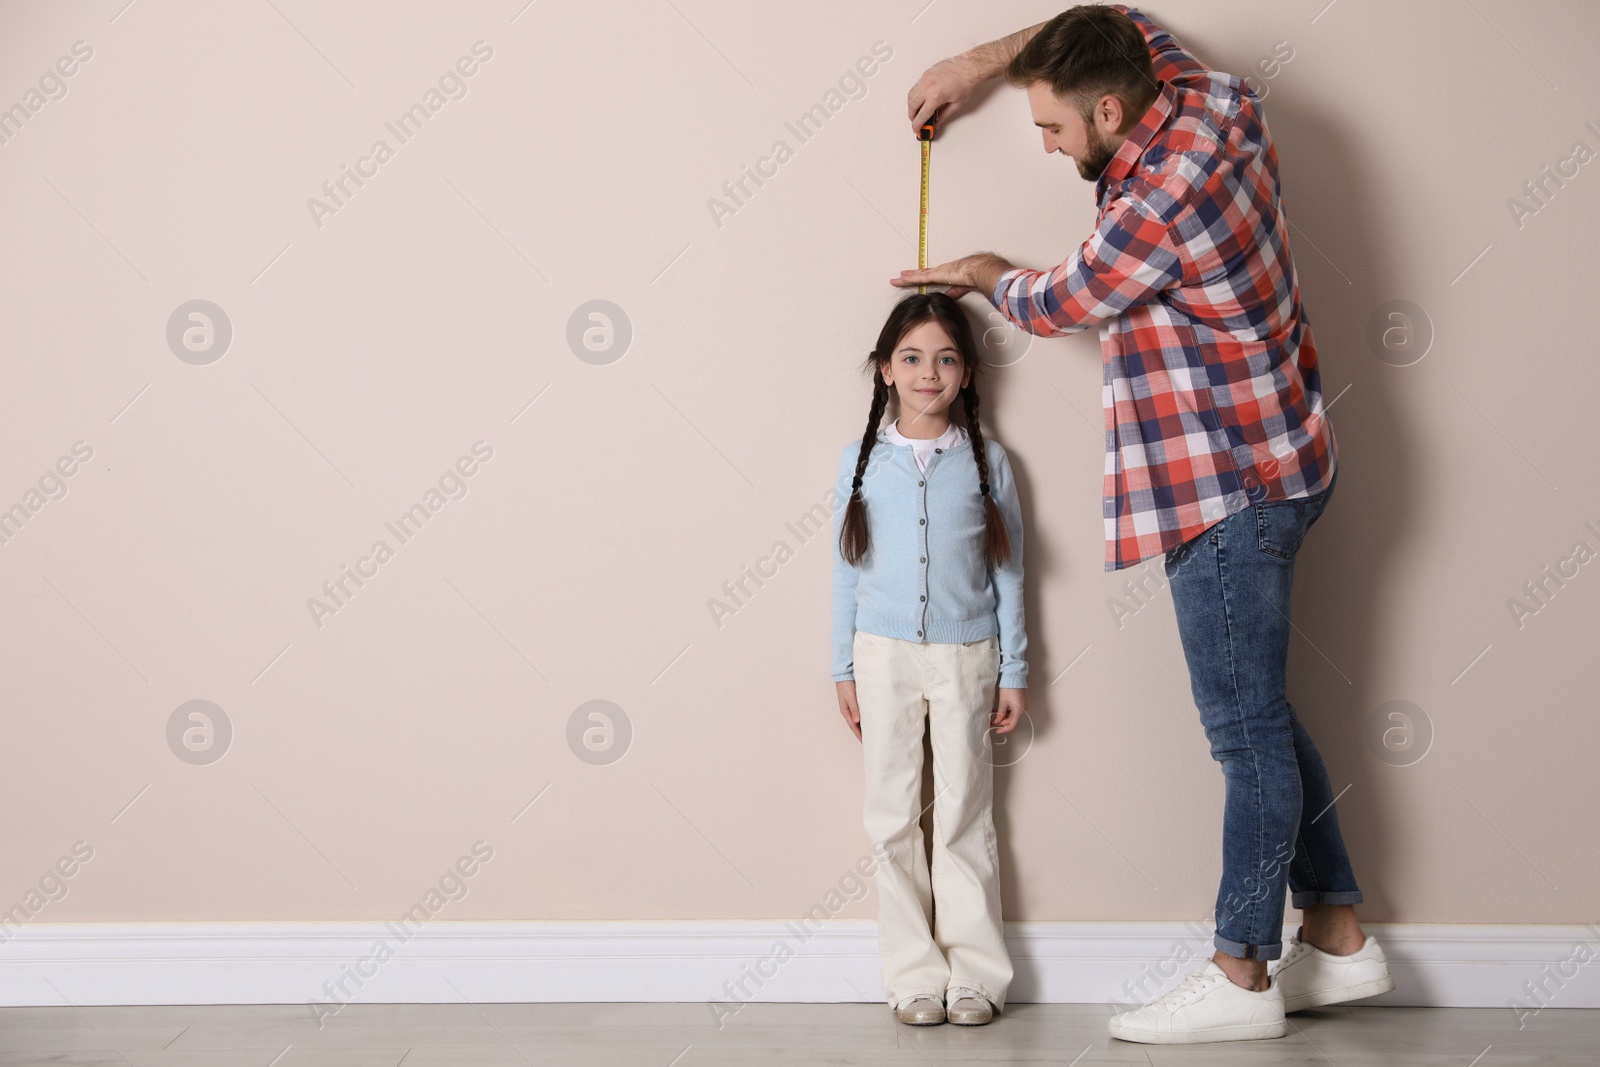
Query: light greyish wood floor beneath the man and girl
x: 761, y: 1036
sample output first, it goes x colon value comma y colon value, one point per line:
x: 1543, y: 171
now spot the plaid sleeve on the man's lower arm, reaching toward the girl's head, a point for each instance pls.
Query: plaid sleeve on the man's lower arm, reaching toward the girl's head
x: 1129, y: 260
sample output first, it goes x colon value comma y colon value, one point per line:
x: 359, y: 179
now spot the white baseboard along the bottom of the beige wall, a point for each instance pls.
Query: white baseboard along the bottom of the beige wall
x: 719, y: 964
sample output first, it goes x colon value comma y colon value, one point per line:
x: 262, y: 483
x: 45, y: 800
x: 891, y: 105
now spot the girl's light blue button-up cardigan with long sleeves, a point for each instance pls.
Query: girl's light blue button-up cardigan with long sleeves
x: 924, y: 577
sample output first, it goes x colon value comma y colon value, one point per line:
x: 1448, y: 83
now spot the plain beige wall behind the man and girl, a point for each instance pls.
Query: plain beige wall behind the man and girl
x: 370, y: 353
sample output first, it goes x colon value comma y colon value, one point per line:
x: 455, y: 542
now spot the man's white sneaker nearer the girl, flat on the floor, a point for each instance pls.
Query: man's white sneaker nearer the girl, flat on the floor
x: 1206, y: 1007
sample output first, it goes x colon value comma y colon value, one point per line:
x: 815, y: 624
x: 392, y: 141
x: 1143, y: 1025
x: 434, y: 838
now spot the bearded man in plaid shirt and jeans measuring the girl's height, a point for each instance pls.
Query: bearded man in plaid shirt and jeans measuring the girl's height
x: 1218, y: 457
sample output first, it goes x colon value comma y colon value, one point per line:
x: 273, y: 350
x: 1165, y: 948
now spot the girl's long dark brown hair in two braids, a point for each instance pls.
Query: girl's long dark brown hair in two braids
x: 913, y: 311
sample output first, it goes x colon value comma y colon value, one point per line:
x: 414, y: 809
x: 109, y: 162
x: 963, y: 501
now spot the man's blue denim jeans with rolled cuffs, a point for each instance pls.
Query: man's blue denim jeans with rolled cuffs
x: 1231, y: 589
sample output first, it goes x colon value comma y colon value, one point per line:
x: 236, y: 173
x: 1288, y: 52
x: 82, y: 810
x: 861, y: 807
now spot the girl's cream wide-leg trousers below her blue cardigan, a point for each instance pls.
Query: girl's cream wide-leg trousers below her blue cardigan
x: 900, y: 687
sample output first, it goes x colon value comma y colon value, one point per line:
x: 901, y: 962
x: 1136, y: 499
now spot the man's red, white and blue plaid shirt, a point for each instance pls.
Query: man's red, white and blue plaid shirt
x: 1212, y: 393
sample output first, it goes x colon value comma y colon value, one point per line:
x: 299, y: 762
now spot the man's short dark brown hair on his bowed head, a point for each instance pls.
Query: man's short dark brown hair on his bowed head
x: 1084, y: 54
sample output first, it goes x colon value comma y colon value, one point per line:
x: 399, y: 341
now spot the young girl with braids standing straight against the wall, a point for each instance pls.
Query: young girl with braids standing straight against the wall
x: 927, y: 623
